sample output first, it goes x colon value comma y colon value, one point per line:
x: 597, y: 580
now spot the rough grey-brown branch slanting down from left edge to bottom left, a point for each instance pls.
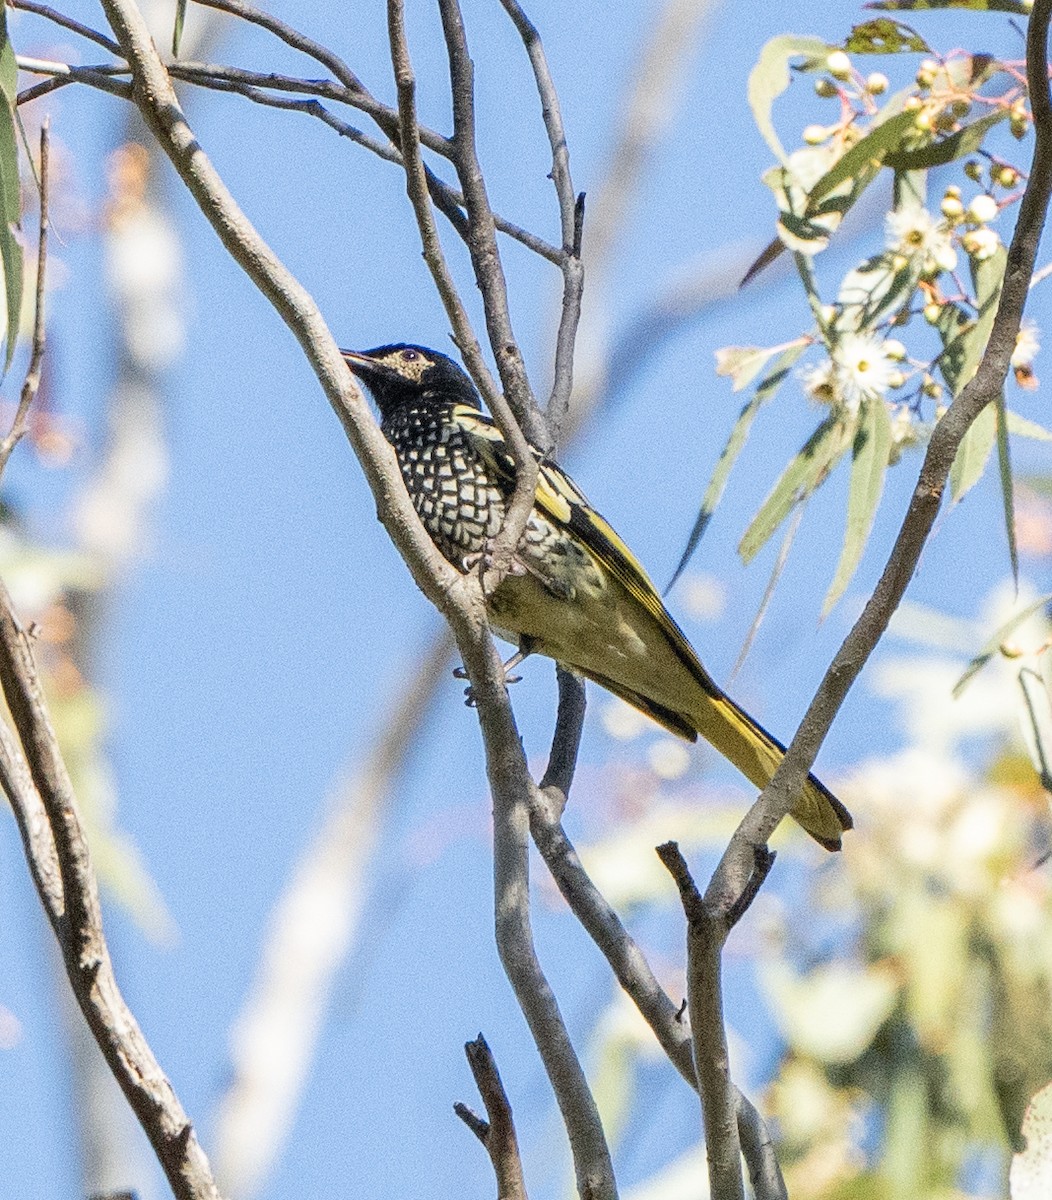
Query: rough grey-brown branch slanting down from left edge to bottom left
x: 45, y: 789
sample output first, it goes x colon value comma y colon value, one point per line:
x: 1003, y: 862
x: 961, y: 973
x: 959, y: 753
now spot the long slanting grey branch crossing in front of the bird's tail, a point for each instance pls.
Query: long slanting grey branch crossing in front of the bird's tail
x: 736, y: 867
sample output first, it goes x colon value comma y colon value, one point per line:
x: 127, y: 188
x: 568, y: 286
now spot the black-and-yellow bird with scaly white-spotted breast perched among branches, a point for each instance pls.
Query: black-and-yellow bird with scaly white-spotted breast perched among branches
x: 575, y: 592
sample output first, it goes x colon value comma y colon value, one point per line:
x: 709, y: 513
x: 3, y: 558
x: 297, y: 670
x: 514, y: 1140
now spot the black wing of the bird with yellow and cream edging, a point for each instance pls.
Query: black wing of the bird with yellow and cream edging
x: 566, y: 506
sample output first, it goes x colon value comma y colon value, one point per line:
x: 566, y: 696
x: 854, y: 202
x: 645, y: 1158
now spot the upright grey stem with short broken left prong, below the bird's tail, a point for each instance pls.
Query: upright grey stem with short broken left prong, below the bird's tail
x: 707, y: 933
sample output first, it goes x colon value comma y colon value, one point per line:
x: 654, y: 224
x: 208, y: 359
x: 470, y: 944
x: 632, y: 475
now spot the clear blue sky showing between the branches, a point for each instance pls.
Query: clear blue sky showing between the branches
x: 250, y: 651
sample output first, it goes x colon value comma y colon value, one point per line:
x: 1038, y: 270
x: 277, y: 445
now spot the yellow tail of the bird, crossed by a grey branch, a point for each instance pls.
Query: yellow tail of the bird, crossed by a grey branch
x: 756, y: 754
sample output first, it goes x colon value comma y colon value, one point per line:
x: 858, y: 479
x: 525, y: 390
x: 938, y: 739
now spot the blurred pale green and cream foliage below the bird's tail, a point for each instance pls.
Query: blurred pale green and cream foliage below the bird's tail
x: 912, y: 983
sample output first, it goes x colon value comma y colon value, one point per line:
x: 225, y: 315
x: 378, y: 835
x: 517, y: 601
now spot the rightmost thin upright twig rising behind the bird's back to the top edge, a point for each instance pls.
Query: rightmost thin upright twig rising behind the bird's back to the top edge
x: 572, y: 217
